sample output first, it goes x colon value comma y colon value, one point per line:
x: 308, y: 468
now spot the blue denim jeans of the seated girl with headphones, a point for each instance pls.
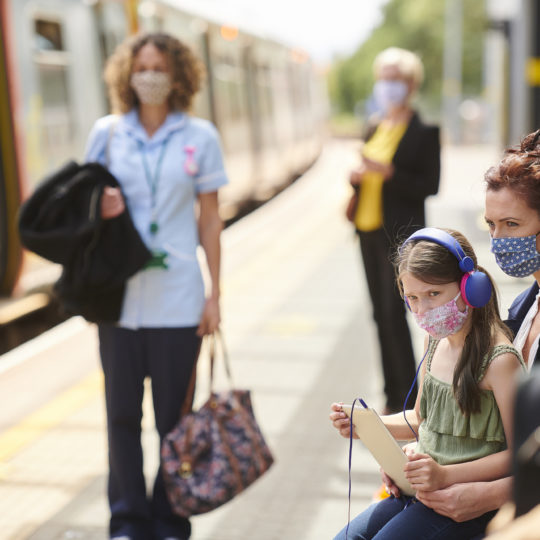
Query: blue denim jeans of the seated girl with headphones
x: 407, y: 519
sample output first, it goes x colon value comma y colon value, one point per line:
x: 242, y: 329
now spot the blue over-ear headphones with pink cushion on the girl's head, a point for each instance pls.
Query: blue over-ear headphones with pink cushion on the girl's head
x: 475, y: 286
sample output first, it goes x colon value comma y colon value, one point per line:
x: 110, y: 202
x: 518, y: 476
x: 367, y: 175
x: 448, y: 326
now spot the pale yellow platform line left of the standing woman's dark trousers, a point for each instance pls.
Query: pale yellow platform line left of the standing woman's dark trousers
x: 50, y: 415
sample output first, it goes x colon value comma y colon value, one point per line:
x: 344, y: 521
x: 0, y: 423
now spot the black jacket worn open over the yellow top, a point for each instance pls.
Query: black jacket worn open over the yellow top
x: 417, y: 164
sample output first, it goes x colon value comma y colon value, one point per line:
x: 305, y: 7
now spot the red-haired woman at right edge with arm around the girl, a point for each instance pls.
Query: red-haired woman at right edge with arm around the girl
x: 513, y: 217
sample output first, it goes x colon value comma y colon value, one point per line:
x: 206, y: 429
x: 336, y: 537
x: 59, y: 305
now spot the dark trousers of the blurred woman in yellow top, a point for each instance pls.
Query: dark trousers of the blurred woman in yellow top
x: 389, y: 313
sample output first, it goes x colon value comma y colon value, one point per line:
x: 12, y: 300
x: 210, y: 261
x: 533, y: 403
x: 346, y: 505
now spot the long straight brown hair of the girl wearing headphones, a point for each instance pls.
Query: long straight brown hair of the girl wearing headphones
x: 433, y: 263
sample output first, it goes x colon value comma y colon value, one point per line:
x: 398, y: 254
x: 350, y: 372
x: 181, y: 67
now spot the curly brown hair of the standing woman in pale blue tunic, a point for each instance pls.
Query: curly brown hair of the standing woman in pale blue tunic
x: 187, y: 71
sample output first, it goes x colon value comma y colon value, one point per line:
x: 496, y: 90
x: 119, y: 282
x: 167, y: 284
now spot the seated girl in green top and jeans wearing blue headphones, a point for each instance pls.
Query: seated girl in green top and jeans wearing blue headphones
x: 463, y: 413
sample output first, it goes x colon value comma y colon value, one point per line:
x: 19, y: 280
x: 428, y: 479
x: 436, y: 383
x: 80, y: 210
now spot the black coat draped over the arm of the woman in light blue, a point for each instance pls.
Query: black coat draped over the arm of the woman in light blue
x: 61, y: 222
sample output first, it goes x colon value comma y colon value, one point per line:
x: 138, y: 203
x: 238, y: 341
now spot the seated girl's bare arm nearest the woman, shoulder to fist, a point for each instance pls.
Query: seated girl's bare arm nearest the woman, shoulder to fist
x: 427, y: 475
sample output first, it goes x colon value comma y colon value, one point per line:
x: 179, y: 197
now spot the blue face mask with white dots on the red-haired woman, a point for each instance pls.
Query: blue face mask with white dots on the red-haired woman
x: 516, y: 256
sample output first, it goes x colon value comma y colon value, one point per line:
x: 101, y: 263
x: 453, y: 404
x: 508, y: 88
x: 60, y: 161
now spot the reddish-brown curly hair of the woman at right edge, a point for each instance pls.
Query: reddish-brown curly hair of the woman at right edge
x: 519, y: 170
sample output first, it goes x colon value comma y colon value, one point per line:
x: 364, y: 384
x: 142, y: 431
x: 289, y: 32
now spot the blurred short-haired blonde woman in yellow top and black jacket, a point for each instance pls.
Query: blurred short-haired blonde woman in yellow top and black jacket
x: 399, y: 168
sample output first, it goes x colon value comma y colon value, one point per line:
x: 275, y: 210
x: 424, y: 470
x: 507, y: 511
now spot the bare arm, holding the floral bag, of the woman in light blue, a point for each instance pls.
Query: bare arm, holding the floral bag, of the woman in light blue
x: 210, y: 226
